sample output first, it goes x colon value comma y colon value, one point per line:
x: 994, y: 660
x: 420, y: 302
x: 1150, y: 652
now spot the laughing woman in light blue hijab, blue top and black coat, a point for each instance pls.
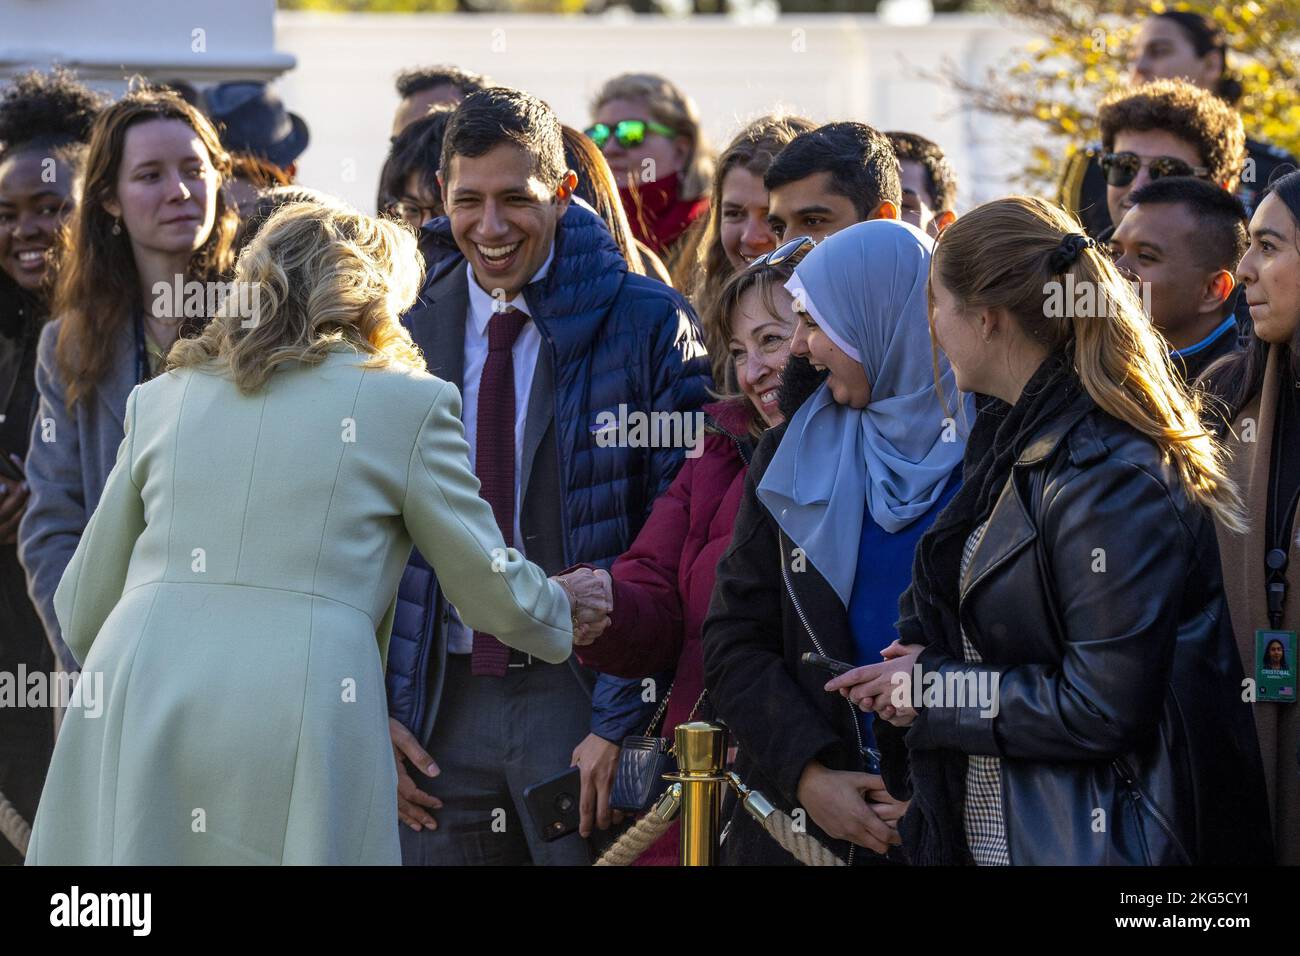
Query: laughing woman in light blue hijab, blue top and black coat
x: 824, y: 544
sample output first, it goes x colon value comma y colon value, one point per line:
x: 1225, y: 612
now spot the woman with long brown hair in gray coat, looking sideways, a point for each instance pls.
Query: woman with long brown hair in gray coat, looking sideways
x: 154, y: 219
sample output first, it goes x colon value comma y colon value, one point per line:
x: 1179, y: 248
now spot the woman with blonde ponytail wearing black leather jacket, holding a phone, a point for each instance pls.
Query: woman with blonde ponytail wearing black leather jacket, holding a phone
x: 1065, y: 689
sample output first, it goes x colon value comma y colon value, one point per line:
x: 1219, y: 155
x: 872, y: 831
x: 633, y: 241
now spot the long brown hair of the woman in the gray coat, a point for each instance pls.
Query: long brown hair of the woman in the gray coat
x: 99, y: 289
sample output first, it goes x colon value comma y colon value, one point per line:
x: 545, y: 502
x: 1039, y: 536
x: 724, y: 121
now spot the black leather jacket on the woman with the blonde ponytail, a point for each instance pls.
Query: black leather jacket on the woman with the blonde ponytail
x: 1097, y: 600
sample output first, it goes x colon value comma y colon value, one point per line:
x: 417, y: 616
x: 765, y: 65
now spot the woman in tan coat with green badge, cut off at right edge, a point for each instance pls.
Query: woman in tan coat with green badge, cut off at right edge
x: 1260, y: 386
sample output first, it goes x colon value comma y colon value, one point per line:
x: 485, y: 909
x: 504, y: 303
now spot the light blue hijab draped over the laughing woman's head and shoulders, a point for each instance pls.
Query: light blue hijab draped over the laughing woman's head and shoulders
x: 866, y: 288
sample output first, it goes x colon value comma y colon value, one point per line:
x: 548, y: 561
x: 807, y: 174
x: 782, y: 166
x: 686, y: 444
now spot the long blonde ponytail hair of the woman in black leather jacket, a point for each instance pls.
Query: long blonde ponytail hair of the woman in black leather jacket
x: 998, y: 257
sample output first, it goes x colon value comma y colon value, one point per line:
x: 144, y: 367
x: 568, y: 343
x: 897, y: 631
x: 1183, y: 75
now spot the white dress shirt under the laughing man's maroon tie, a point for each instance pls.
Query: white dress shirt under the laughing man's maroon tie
x: 483, y: 308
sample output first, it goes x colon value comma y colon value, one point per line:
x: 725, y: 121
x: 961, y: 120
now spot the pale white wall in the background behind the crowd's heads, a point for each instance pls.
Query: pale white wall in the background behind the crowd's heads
x: 825, y: 67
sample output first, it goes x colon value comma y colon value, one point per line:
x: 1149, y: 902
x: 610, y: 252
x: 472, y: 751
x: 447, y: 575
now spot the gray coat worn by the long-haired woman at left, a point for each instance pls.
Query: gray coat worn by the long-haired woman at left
x: 68, y: 464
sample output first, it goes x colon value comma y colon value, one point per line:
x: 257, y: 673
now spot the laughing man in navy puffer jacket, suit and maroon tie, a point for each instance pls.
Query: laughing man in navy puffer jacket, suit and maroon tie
x: 531, y: 312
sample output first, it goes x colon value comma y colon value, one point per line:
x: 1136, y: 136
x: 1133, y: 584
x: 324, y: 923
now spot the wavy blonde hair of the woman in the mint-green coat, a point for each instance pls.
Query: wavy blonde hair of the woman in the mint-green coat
x: 320, y: 275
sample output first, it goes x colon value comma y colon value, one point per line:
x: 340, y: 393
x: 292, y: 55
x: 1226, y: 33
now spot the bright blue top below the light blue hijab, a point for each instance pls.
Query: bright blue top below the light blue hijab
x: 883, y: 574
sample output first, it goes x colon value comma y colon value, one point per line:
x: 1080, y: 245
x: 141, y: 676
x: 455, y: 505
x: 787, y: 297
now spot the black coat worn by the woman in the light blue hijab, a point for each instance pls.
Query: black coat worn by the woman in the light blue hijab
x: 769, y: 608
